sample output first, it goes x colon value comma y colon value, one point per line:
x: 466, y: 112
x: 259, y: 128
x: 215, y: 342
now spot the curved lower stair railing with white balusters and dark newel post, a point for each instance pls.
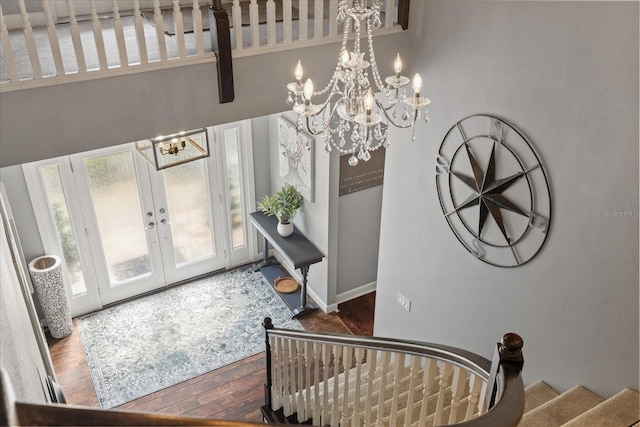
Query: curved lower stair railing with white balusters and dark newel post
x: 338, y: 380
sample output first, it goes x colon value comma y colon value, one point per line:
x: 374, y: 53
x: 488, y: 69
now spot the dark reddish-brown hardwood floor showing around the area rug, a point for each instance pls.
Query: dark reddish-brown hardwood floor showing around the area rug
x: 233, y: 392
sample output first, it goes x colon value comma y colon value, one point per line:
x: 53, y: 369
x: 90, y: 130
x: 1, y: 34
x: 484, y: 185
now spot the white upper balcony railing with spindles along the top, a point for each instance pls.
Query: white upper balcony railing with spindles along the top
x: 50, y: 42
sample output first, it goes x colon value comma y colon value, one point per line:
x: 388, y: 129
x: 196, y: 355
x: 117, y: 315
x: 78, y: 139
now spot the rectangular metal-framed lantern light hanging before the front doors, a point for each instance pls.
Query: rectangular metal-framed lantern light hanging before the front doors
x: 172, y: 150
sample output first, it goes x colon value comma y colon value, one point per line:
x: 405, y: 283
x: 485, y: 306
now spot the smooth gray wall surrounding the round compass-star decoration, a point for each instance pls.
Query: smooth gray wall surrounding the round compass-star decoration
x: 565, y: 74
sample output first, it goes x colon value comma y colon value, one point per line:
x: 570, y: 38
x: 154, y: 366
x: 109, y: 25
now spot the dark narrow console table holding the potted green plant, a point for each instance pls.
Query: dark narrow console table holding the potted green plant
x: 296, y: 250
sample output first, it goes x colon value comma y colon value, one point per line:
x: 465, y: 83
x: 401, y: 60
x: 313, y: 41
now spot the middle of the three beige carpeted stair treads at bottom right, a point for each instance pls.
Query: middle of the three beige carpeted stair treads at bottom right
x: 563, y: 408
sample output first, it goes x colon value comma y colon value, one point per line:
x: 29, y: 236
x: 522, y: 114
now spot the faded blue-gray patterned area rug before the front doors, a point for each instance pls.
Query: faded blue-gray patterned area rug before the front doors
x: 142, y: 346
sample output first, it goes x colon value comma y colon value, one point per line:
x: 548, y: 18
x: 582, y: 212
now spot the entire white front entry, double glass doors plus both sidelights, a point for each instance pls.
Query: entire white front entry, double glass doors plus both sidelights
x: 122, y: 228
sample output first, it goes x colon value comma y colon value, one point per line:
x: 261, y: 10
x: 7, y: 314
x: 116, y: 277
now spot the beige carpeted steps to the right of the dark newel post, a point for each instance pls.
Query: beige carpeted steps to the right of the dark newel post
x: 579, y: 407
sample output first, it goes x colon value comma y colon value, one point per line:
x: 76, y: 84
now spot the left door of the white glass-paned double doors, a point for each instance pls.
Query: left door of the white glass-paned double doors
x: 121, y: 223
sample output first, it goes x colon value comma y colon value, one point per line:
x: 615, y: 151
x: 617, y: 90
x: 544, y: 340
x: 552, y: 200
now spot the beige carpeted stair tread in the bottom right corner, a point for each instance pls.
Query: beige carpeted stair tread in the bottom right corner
x: 622, y: 409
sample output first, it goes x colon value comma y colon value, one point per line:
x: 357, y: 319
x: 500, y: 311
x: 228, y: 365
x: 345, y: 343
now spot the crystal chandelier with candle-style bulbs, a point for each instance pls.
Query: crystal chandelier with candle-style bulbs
x: 353, y: 119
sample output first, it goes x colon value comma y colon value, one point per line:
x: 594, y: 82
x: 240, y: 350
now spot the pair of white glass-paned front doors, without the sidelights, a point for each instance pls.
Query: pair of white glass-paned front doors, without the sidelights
x: 148, y: 228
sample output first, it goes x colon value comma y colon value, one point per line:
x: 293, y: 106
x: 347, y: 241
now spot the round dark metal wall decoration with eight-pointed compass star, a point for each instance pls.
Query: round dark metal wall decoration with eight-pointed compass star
x: 493, y: 191
